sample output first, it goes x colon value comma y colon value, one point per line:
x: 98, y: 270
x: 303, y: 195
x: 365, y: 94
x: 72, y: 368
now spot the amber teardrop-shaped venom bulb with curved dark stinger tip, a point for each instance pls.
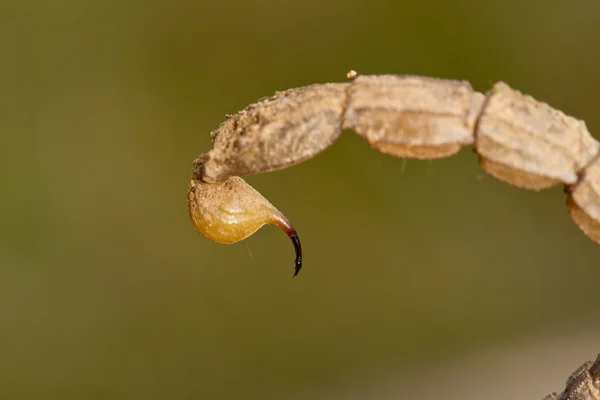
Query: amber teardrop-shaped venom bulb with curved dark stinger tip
x: 230, y: 211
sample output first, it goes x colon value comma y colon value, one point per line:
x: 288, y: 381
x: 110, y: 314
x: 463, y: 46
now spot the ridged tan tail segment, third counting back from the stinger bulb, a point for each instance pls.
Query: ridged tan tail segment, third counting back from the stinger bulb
x: 529, y: 144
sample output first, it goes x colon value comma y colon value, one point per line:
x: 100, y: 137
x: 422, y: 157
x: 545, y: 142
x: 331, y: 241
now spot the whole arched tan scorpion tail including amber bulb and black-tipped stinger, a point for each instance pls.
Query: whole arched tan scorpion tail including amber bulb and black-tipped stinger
x: 518, y: 139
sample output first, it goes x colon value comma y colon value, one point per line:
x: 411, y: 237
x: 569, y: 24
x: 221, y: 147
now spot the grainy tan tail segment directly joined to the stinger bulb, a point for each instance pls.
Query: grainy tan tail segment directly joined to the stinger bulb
x: 277, y: 132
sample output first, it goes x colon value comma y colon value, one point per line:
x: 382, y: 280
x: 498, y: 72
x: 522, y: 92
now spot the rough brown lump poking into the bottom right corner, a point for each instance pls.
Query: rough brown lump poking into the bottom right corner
x: 583, y: 384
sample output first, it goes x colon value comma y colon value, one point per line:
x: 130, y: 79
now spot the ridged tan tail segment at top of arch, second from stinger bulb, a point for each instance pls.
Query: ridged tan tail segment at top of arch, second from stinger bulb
x: 412, y: 116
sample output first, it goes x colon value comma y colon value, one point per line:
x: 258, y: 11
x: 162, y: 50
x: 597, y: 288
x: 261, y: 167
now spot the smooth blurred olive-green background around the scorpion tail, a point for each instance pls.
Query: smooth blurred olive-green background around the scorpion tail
x: 108, y: 292
